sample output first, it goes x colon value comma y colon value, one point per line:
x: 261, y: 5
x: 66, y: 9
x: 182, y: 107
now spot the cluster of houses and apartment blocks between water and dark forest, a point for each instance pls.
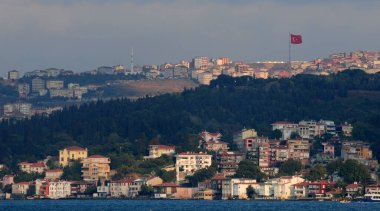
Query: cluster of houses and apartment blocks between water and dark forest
x: 295, y: 143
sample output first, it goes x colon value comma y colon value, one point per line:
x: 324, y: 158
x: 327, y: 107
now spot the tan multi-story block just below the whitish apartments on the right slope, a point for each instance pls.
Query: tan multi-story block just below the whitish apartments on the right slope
x: 299, y: 149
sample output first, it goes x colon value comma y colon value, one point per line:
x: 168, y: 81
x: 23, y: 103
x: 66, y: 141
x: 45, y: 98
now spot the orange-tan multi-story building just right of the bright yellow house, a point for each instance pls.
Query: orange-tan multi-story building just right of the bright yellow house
x: 96, y: 167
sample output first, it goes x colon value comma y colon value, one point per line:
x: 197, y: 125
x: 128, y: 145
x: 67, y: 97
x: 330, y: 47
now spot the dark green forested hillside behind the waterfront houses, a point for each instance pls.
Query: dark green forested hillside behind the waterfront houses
x: 227, y: 105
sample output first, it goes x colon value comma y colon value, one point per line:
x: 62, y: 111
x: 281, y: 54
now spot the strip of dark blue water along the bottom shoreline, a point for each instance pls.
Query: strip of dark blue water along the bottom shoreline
x: 134, y: 205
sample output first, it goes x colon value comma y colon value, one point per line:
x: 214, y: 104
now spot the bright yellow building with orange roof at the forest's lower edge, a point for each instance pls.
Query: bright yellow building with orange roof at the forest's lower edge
x: 71, y: 153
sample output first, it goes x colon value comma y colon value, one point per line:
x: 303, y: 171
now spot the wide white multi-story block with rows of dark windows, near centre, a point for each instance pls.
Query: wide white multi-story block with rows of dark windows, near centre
x: 189, y: 162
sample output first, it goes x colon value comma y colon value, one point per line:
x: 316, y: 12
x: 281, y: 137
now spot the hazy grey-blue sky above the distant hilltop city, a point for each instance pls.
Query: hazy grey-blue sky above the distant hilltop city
x: 84, y: 34
